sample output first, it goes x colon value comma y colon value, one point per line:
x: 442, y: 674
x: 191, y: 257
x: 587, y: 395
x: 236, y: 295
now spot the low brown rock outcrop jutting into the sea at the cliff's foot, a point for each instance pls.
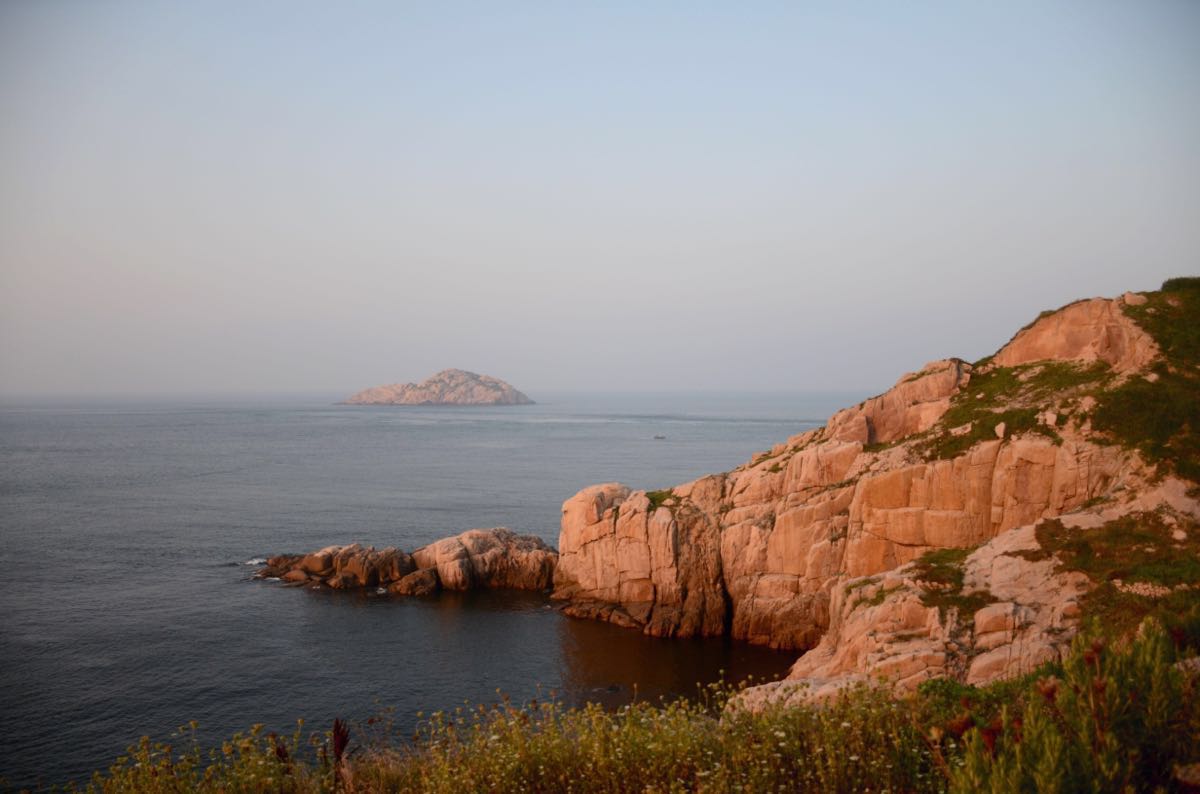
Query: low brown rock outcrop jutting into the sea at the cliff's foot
x: 476, y: 560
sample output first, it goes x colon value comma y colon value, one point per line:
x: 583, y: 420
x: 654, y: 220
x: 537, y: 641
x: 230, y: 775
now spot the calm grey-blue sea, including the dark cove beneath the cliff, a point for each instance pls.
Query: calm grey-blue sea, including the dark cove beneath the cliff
x: 128, y: 607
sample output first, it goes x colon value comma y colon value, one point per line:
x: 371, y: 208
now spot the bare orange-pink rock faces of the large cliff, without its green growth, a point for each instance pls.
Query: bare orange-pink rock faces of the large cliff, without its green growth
x: 764, y: 552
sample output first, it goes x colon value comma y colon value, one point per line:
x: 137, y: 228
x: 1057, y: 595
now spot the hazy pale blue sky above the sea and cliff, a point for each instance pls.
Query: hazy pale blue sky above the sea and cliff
x: 271, y: 197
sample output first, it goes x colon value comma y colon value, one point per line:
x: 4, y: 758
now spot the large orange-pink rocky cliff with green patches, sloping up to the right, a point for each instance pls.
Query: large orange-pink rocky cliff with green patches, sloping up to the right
x: 909, y: 538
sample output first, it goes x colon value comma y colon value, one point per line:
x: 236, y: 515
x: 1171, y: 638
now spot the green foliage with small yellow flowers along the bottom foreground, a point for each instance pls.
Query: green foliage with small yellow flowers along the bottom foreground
x: 1107, y: 720
